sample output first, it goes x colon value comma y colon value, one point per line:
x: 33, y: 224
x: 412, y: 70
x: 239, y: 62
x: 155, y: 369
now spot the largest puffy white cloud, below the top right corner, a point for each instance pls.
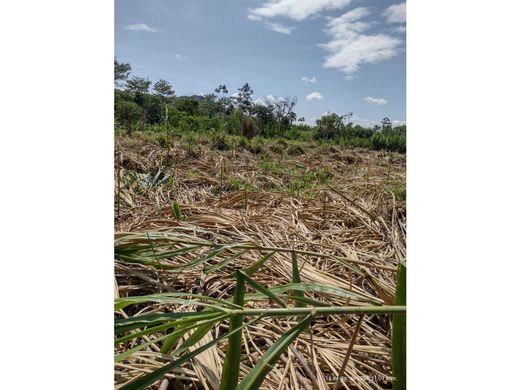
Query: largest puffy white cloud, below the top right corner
x: 350, y: 47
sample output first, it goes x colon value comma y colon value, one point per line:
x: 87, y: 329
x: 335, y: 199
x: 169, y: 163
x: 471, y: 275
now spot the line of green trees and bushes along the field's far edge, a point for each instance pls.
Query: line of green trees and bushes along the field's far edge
x: 139, y: 104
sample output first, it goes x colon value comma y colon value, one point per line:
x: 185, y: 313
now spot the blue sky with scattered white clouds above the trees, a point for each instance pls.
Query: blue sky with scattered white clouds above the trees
x: 338, y: 55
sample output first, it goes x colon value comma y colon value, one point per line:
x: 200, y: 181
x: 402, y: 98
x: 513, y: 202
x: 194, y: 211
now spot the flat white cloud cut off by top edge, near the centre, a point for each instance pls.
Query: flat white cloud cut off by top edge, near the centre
x: 295, y: 9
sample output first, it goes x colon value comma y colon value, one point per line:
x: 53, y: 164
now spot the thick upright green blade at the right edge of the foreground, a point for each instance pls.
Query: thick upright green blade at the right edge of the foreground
x: 399, y: 333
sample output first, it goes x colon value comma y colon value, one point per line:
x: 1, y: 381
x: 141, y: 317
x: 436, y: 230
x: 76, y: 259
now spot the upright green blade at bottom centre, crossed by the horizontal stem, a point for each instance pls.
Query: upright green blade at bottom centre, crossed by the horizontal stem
x: 231, y: 368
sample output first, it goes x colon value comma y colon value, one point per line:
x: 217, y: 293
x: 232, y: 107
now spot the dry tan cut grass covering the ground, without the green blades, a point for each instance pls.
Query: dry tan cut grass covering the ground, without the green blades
x: 353, y: 215
